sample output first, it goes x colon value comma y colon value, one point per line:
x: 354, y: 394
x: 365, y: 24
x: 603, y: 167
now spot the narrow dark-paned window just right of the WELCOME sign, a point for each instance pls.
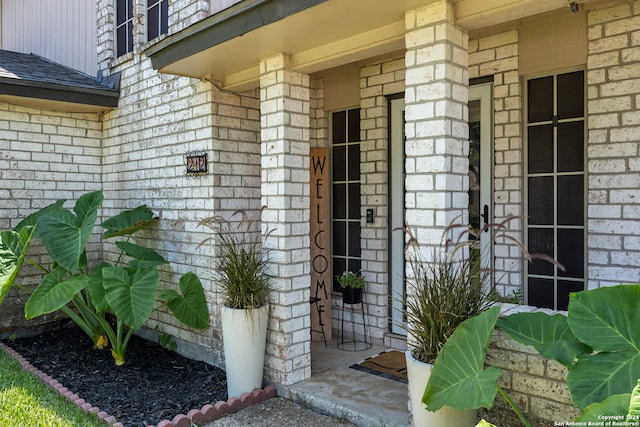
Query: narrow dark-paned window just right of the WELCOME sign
x: 345, y: 217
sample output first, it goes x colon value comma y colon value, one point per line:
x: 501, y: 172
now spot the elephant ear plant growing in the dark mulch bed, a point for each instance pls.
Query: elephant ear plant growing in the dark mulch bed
x: 128, y: 291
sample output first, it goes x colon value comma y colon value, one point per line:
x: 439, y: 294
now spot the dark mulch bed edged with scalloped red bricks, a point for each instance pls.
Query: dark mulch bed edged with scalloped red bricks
x: 155, y: 384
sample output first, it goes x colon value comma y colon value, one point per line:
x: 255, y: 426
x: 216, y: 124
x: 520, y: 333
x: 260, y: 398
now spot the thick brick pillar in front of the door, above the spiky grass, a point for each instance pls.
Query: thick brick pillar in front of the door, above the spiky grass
x: 436, y: 114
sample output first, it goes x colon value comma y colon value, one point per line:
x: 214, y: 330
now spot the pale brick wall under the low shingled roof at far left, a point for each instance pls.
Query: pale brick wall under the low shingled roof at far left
x: 44, y: 156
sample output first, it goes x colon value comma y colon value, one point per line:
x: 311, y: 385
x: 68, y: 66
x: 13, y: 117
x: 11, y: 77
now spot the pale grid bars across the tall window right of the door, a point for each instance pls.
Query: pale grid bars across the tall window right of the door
x: 557, y: 275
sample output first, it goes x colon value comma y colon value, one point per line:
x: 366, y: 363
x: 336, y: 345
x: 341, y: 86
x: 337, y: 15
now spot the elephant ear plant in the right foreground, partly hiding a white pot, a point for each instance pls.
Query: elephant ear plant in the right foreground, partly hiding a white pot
x: 598, y: 341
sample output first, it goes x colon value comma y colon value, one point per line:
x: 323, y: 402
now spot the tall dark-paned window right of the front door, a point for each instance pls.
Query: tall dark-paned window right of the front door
x: 555, y: 188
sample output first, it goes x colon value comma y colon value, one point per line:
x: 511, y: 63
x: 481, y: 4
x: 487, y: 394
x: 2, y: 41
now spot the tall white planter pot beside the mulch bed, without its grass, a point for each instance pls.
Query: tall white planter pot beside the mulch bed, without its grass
x: 244, y: 333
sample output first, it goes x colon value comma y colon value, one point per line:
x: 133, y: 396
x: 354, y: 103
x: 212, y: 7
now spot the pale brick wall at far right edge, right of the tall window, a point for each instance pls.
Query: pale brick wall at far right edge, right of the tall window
x: 613, y: 91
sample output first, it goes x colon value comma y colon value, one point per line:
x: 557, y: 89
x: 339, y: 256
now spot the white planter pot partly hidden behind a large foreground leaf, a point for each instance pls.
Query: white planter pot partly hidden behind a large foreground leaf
x: 418, y: 374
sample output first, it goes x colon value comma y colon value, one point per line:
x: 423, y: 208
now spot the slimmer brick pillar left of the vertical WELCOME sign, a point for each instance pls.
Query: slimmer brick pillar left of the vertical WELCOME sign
x: 284, y: 106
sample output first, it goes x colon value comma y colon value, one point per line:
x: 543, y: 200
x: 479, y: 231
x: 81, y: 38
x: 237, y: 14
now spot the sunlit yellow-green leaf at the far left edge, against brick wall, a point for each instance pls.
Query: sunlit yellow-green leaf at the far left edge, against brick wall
x: 13, y: 250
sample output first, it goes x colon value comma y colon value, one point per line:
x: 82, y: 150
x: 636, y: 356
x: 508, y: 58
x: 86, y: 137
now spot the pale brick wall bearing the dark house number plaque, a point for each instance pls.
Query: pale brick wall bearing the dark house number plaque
x: 161, y: 118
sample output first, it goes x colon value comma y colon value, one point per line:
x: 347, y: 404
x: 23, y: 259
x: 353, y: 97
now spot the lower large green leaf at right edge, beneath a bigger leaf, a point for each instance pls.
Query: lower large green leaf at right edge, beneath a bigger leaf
x: 597, y: 376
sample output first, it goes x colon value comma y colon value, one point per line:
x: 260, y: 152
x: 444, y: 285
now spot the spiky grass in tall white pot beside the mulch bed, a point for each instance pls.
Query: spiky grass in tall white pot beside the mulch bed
x: 243, y: 280
